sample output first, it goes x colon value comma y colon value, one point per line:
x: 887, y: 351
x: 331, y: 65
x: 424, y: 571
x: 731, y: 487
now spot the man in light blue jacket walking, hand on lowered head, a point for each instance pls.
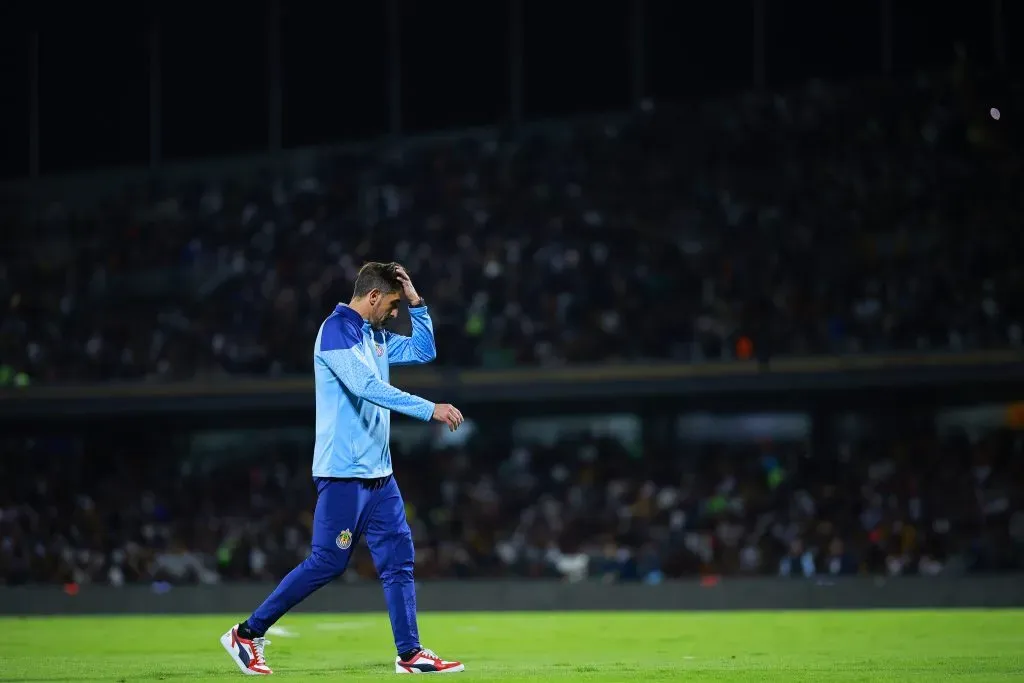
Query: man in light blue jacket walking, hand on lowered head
x: 357, y: 492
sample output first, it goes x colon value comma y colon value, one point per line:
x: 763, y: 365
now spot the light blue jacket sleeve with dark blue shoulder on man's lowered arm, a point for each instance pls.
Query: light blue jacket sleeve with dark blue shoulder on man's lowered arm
x: 343, y: 352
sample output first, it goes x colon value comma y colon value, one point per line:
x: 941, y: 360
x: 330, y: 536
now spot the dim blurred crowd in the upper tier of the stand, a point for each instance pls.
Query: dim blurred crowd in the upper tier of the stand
x: 826, y: 220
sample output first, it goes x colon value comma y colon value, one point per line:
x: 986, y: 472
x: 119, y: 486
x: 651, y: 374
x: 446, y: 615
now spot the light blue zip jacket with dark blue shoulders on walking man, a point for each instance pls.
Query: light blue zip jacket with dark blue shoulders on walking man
x: 355, y: 400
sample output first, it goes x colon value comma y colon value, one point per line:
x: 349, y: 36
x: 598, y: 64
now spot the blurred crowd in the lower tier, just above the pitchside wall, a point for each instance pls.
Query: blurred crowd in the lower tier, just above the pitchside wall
x: 583, y: 508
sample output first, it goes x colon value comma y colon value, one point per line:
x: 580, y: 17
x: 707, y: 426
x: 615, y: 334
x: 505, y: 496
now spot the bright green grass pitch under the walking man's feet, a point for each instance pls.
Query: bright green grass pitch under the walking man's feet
x: 678, y: 647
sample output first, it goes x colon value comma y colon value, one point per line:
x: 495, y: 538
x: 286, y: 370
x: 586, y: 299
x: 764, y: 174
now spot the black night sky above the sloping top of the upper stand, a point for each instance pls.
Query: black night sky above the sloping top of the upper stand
x: 336, y: 72
